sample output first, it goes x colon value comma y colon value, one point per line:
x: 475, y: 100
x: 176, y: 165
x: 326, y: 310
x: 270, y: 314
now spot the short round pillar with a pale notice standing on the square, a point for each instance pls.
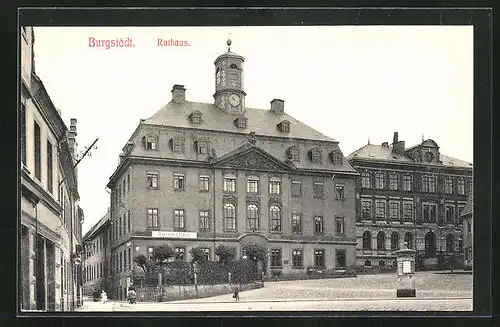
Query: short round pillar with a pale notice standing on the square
x: 406, y: 272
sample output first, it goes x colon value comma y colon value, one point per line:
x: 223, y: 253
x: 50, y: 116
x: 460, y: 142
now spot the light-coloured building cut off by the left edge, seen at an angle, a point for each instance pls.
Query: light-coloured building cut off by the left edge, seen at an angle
x: 50, y: 217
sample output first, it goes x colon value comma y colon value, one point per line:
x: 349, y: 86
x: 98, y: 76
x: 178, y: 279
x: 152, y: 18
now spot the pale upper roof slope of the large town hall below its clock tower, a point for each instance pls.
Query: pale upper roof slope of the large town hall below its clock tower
x: 260, y: 121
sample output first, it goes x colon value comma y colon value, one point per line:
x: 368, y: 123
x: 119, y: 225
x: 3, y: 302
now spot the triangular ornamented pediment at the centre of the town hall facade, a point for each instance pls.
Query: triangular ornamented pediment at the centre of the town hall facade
x: 253, y: 159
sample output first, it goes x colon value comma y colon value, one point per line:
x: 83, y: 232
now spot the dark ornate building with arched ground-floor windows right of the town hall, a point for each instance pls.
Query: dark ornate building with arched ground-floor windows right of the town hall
x: 414, y: 195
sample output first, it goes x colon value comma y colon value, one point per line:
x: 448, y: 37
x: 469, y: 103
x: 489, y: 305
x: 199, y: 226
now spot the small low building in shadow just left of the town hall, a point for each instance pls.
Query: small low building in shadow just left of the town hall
x: 96, y: 256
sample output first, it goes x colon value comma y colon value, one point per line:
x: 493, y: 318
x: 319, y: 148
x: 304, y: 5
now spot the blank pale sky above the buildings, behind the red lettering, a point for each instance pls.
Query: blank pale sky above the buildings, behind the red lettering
x: 351, y: 83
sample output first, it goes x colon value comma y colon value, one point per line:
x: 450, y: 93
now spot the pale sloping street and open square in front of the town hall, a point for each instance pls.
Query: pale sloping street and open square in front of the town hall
x: 435, y: 292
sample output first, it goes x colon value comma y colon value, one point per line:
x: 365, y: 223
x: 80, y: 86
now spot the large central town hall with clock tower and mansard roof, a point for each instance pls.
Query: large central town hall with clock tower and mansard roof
x: 203, y: 174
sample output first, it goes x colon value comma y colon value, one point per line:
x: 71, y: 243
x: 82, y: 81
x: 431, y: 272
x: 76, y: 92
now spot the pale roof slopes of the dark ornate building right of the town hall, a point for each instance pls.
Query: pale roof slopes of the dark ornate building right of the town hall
x: 380, y: 152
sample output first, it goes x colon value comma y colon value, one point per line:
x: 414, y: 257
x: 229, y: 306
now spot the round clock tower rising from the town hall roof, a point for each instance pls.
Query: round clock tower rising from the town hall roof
x: 229, y: 94
